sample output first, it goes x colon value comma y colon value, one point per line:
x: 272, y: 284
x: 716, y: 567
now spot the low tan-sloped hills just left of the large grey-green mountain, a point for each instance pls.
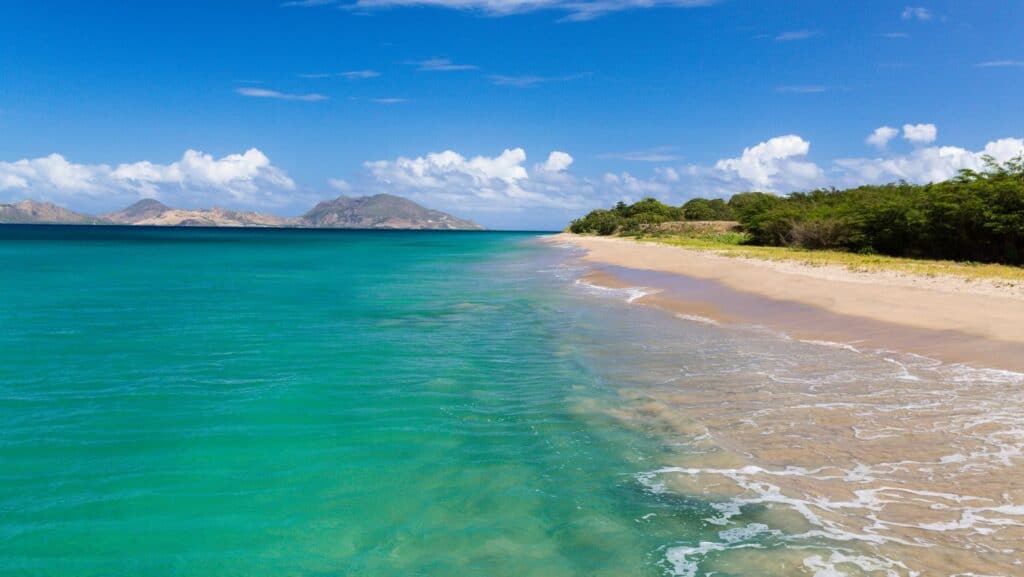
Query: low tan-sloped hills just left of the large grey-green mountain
x: 155, y: 214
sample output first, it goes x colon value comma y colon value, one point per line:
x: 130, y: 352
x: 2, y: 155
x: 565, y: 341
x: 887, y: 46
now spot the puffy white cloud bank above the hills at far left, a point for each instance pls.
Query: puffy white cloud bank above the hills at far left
x: 247, y: 179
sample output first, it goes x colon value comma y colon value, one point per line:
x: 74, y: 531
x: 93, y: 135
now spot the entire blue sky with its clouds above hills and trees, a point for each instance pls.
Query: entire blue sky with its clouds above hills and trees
x: 520, y: 114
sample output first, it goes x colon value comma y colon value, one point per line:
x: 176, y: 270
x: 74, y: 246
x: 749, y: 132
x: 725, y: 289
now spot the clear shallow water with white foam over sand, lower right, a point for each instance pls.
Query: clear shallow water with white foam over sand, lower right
x: 815, y: 458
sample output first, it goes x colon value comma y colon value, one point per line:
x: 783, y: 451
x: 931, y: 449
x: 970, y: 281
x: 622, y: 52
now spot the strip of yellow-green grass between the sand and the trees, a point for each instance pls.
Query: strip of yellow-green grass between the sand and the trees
x: 731, y: 244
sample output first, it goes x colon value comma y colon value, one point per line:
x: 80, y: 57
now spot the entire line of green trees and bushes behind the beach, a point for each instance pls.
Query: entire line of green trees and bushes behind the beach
x: 977, y: 217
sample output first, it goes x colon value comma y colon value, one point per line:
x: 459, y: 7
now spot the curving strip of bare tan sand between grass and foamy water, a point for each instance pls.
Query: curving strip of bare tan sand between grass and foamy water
x: 972, y: 322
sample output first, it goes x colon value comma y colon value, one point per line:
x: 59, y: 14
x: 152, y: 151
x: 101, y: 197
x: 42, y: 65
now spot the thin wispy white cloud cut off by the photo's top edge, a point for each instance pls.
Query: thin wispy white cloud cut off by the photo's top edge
x: 576, y: 10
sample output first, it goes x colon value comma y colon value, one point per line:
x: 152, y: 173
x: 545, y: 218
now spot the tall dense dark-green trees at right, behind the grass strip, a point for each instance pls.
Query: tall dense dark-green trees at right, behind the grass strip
x: 975, y: 217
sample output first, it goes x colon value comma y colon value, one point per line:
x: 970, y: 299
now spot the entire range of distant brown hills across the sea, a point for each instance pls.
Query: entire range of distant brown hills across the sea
x: 378, y: 212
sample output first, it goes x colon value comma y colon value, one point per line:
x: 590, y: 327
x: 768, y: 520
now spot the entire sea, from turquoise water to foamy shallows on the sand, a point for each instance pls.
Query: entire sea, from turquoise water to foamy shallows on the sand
x: 220, y: 402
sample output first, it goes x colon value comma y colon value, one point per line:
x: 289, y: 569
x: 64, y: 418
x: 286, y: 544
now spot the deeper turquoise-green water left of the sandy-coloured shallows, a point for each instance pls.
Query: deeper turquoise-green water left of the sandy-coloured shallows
x: 212, y: 402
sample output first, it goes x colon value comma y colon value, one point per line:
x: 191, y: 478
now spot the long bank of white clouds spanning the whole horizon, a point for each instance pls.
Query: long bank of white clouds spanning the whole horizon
x: 505, y: 183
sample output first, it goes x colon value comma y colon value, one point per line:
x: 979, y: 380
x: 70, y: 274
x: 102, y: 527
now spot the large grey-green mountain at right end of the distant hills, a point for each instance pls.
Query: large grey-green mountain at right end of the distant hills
x: 380, y: 212
